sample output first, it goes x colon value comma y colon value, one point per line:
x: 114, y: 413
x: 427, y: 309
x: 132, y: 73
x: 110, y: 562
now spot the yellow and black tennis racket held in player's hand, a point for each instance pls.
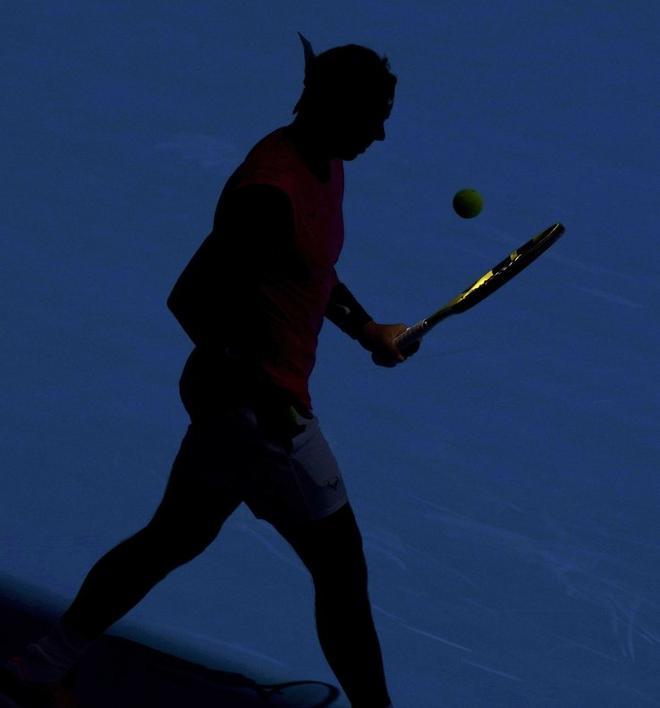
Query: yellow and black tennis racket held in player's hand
x: 495, y: 278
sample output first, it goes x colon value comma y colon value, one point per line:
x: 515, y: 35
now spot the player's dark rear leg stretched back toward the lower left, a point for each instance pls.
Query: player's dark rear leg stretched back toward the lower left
x: 190, y: 515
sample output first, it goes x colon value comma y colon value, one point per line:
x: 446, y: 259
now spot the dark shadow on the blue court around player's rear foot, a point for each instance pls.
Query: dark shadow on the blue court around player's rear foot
x: 122, y: 672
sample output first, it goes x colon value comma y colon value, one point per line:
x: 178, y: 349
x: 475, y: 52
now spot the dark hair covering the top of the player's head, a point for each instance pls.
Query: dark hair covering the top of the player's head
x: 344, y: 75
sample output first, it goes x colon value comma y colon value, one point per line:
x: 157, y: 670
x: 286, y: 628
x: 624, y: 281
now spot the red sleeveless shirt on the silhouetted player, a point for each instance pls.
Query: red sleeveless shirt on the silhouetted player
x: 295, y: 306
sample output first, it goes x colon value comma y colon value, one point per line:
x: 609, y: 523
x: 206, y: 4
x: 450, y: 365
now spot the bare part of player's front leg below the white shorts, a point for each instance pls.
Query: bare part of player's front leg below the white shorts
x: 331, y: 548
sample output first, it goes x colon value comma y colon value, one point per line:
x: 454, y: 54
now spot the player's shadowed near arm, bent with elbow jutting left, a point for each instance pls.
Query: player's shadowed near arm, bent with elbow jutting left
x: 217, y: 299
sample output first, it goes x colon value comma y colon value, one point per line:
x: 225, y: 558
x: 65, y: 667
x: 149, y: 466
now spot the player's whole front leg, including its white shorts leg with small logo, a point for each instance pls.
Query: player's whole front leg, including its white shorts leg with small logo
x: 299, y: 489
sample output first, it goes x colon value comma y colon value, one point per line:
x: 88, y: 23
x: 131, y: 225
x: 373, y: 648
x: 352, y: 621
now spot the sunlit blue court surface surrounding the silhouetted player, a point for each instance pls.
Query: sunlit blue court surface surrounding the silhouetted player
x: 505, y: 478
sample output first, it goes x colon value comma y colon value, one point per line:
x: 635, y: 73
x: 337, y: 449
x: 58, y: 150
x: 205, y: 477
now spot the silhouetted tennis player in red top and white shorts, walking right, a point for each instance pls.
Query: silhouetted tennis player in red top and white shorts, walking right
x: 252, y: 300
